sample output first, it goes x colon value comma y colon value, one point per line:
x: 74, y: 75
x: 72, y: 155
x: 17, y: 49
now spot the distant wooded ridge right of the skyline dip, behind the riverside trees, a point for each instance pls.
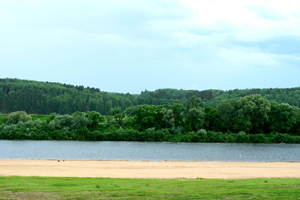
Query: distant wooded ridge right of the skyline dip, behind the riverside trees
x: 214, y: 97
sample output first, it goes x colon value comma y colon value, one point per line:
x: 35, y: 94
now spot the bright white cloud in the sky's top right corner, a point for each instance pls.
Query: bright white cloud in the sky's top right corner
x: 245, y: 20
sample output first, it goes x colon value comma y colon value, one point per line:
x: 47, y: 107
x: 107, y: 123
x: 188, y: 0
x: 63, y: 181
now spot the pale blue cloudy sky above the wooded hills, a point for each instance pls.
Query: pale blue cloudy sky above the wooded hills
x: 133, y: 45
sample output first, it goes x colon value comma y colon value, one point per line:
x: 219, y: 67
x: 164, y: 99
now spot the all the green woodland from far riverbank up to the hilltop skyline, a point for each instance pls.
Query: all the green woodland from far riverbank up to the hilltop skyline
x: 54, y: 111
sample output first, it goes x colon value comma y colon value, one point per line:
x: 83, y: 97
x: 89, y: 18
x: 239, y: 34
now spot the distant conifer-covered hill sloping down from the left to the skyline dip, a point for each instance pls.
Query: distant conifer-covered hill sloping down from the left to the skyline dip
x: 45, y: 98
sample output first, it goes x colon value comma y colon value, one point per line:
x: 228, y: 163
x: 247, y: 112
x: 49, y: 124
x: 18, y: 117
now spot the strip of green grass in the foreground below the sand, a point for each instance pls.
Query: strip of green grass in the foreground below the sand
x: 115, y: 188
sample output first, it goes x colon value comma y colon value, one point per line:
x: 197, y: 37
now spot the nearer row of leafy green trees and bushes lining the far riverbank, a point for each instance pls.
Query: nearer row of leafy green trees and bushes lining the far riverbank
x: 249, y: 119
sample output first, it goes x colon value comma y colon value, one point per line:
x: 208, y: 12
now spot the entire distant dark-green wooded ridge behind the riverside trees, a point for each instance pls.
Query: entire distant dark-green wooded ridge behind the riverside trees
x: 47, y: 97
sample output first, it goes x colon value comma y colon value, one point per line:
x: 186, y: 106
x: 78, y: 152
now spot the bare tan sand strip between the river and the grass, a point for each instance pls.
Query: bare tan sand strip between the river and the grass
x: 149, y: 169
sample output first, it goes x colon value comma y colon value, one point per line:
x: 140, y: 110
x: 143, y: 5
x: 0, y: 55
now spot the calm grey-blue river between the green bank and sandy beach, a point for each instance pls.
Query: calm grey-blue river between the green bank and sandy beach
x: 152, y: 151
